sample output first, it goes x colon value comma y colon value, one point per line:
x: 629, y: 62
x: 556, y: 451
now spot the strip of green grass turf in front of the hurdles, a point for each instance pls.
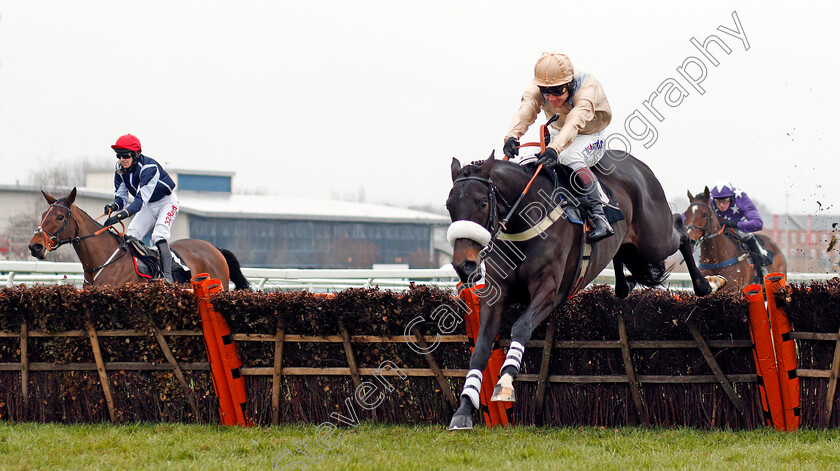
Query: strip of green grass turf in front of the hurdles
x: 178, y: 446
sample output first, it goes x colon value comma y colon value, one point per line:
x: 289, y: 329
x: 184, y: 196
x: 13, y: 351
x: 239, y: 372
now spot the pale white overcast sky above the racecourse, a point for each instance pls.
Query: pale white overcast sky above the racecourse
x: 323, y: 98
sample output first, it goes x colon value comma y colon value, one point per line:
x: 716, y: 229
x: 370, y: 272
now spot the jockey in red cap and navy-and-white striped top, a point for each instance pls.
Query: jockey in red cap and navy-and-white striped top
x: 155, y: 204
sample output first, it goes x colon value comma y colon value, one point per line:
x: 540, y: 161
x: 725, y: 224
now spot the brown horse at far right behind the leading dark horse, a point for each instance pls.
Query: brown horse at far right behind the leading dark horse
x: 720, y: 251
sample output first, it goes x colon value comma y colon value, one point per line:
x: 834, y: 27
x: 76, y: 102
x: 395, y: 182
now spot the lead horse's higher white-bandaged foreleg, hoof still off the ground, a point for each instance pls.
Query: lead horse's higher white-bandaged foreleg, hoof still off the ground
x: 540, y: 307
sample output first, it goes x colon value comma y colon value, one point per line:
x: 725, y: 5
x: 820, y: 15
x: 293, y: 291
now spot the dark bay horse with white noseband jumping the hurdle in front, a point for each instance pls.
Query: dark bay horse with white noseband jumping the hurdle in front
x: 536, y: 259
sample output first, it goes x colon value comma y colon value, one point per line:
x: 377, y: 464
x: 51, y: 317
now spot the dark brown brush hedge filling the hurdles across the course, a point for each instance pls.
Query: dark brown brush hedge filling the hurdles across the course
x: 135, y: 353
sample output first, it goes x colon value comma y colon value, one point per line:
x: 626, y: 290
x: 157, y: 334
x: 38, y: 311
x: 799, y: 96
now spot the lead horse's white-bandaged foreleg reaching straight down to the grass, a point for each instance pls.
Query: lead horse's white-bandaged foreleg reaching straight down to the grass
x: 491, y: 317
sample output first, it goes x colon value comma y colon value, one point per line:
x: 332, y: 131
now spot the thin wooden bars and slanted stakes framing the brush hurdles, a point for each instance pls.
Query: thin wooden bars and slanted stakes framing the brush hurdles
x: 279, y: 370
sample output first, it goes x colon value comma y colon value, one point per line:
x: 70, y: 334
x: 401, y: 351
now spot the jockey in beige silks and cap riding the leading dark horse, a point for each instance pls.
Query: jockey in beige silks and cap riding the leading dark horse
x: 577, y: 137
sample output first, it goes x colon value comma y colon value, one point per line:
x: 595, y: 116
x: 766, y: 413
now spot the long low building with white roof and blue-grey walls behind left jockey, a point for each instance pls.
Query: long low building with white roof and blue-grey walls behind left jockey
x: 263, y: 231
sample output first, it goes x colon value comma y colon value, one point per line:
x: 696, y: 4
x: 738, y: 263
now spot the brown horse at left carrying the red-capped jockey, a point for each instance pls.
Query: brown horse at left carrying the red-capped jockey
x: 103, y: 253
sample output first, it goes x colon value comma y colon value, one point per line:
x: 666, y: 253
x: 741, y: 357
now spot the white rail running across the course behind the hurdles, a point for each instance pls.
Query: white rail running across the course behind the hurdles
x: 318, y: 280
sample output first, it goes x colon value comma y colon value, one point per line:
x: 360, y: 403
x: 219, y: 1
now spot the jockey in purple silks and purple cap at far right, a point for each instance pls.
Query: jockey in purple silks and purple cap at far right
x: 736, y: 210
